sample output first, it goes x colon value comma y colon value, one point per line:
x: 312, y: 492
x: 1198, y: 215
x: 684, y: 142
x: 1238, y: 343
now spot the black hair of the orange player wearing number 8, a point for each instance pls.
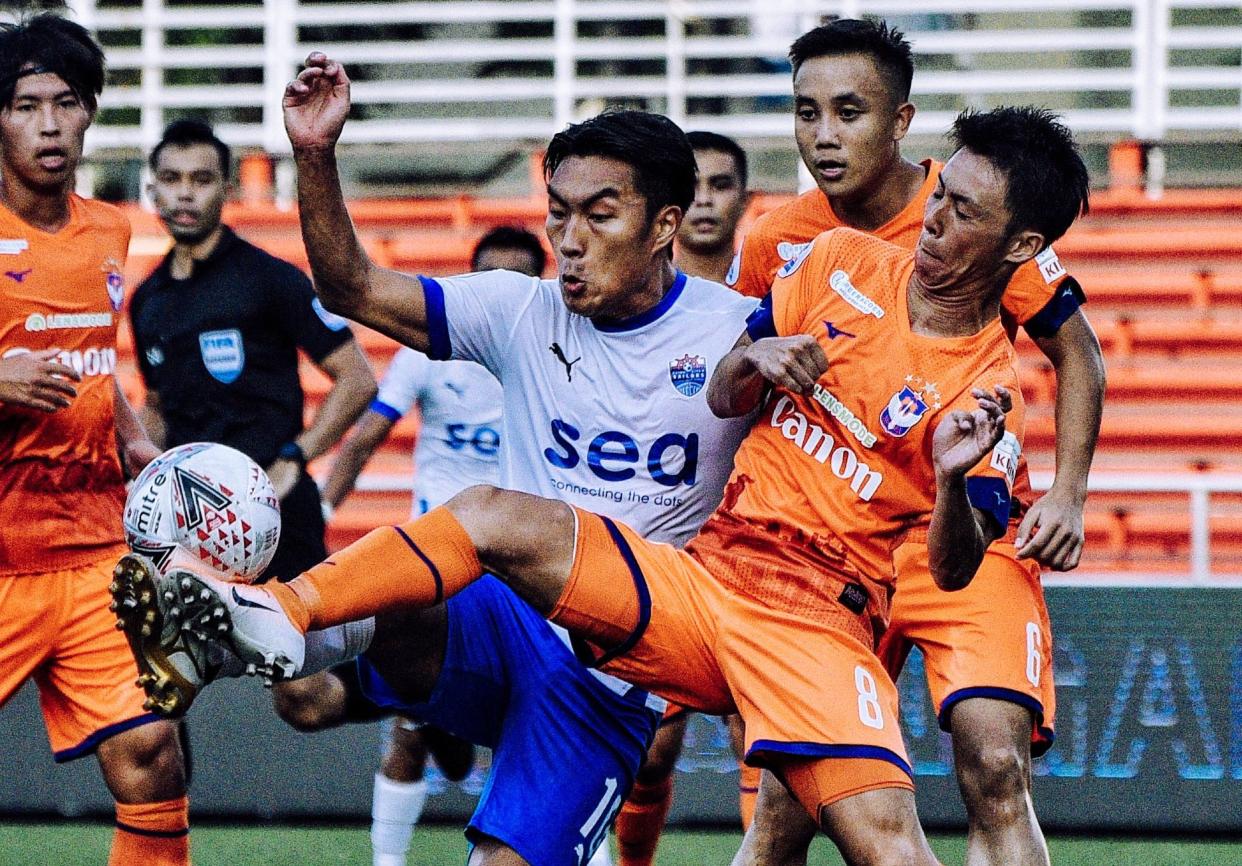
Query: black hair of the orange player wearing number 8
x: 1048, y: 183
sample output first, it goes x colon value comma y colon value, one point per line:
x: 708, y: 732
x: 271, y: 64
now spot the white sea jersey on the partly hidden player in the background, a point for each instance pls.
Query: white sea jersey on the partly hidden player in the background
x: 460, y: 438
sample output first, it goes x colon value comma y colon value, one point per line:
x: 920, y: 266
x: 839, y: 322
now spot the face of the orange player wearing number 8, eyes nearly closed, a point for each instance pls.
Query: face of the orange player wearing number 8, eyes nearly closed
x: 966, y: 226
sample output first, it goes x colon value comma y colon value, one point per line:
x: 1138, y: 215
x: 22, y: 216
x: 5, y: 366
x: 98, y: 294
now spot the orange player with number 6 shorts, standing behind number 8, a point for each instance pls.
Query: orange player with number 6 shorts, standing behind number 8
x: 989, y: 664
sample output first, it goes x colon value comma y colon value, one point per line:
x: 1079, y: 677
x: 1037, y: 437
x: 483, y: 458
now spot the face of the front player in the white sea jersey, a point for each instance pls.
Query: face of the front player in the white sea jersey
x: 604, y: 242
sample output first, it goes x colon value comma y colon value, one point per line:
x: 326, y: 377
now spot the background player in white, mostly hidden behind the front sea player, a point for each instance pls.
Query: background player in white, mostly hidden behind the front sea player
x: 459, y: 445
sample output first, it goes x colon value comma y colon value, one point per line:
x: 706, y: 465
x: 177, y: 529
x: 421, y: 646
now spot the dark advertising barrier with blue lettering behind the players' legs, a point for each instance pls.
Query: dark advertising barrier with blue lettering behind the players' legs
x: 1149, y: 737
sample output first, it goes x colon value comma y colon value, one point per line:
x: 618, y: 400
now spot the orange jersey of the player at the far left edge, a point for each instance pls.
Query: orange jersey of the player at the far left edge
x: 61, y: 486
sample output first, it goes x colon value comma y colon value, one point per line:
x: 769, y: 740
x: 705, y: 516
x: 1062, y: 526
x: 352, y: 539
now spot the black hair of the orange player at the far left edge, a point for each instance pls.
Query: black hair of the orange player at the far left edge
x: 48, y: 43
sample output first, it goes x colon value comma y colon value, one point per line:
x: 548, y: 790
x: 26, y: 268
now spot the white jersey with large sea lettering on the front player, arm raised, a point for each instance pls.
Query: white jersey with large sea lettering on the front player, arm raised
x: 610, y: 419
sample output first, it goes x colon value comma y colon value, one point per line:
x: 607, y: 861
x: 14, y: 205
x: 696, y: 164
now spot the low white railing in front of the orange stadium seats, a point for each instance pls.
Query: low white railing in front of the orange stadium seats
x: 1198, y: 488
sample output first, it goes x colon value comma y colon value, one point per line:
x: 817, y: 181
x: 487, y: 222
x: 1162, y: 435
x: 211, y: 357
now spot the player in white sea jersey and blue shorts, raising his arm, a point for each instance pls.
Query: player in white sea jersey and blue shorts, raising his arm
x: 604, y: 373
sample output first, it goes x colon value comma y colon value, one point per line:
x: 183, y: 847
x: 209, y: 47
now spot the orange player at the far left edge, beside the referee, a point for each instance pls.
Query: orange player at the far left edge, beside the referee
x: 60, y: 469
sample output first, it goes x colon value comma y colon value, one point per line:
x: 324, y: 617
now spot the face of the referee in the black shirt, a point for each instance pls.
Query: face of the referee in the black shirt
x: 189, y: 191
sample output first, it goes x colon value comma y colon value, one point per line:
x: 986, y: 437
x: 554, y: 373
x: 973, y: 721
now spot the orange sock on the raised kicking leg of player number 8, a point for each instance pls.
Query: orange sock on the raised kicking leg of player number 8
x: 417, y: 565
